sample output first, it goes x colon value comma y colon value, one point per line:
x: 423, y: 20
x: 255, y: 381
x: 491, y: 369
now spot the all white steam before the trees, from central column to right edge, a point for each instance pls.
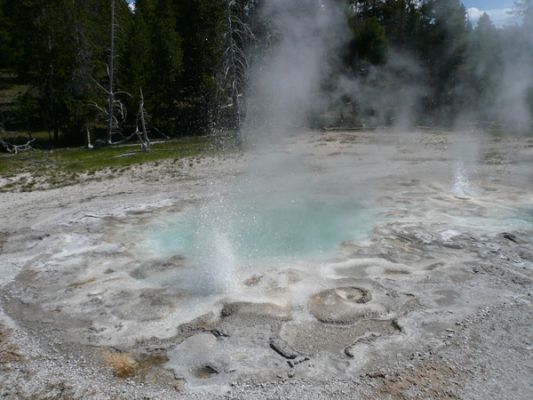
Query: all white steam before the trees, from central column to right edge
x: 286, y: 85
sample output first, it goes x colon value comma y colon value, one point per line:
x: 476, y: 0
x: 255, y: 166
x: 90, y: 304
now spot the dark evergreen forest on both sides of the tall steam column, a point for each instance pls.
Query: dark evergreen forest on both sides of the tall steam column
x: 100, y: 68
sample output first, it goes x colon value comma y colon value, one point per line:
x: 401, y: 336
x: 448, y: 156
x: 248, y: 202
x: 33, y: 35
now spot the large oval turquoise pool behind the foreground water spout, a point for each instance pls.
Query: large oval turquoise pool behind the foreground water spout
x: 263, y: 230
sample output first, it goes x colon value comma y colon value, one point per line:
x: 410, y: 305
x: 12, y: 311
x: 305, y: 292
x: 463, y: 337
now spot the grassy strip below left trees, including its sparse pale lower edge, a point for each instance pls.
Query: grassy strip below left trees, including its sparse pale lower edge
x: 60, y: 167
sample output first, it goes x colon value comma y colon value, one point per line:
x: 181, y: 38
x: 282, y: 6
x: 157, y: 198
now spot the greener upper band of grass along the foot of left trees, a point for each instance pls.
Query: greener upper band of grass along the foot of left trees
x: 73, y: 161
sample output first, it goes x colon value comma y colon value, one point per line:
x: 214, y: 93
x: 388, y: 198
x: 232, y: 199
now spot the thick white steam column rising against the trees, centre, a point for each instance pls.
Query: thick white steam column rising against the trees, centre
x: 285, y: 81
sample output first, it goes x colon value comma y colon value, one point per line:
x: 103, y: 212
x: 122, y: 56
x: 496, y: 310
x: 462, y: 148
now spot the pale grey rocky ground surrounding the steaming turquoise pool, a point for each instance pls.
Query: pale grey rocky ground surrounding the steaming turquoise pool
x: 436, y: 303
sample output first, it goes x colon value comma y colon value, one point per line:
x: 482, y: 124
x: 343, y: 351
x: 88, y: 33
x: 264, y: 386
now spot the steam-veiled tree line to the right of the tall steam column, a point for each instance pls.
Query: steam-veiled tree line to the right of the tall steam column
x: 427, y: 56
